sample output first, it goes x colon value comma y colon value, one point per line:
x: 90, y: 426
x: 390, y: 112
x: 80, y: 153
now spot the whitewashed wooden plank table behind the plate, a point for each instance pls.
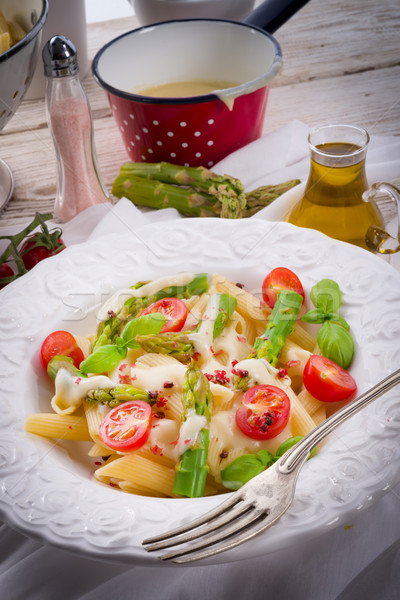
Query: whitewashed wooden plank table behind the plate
x: 341, y: 64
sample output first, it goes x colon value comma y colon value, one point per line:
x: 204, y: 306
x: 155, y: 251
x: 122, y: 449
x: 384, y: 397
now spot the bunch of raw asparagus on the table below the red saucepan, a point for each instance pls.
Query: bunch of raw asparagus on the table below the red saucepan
x: 193, y: 191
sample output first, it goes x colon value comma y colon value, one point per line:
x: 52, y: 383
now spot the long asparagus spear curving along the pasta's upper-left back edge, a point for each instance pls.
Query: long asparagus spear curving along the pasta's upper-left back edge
x: 111, y: 328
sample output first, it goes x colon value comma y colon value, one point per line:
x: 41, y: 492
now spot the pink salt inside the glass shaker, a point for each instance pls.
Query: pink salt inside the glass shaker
x: 79, y: 183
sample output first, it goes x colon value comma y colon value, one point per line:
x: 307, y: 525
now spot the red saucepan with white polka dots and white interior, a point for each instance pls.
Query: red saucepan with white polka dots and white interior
x: 199, y: 129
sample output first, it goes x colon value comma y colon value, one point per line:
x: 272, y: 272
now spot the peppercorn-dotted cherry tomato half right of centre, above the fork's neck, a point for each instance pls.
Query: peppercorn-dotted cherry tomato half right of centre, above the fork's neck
x: 264, y: 412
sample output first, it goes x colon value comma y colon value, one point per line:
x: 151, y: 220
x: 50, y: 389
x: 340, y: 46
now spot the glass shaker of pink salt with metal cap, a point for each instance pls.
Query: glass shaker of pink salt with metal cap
x: 79, y: 183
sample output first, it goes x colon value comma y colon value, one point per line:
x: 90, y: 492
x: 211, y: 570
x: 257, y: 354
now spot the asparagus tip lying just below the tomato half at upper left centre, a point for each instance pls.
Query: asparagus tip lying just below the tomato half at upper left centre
x: 177, y: 345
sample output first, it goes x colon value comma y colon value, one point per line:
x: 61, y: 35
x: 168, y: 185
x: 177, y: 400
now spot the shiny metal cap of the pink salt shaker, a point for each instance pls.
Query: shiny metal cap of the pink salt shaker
x: 60, y: 57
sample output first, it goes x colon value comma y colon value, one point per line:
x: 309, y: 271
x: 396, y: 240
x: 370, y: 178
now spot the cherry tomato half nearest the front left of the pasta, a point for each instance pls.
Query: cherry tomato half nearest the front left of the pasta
x: 127, y: 426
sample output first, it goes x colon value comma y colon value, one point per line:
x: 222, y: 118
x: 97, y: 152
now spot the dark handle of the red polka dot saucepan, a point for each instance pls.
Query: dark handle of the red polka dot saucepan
x: 271, y: 14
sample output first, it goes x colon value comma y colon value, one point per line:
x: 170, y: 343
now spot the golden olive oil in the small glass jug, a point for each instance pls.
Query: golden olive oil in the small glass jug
x: 332, y: 201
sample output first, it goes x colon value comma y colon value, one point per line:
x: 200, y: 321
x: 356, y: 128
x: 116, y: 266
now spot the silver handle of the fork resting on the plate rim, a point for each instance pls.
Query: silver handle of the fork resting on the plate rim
x: 295, y: 456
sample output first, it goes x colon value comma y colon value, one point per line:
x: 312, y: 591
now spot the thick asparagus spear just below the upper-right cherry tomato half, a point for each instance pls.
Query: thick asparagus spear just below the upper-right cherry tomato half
x: 280, y: 325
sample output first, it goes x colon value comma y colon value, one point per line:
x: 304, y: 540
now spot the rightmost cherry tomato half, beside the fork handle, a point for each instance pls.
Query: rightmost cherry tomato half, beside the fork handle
x: 327, y: 381
